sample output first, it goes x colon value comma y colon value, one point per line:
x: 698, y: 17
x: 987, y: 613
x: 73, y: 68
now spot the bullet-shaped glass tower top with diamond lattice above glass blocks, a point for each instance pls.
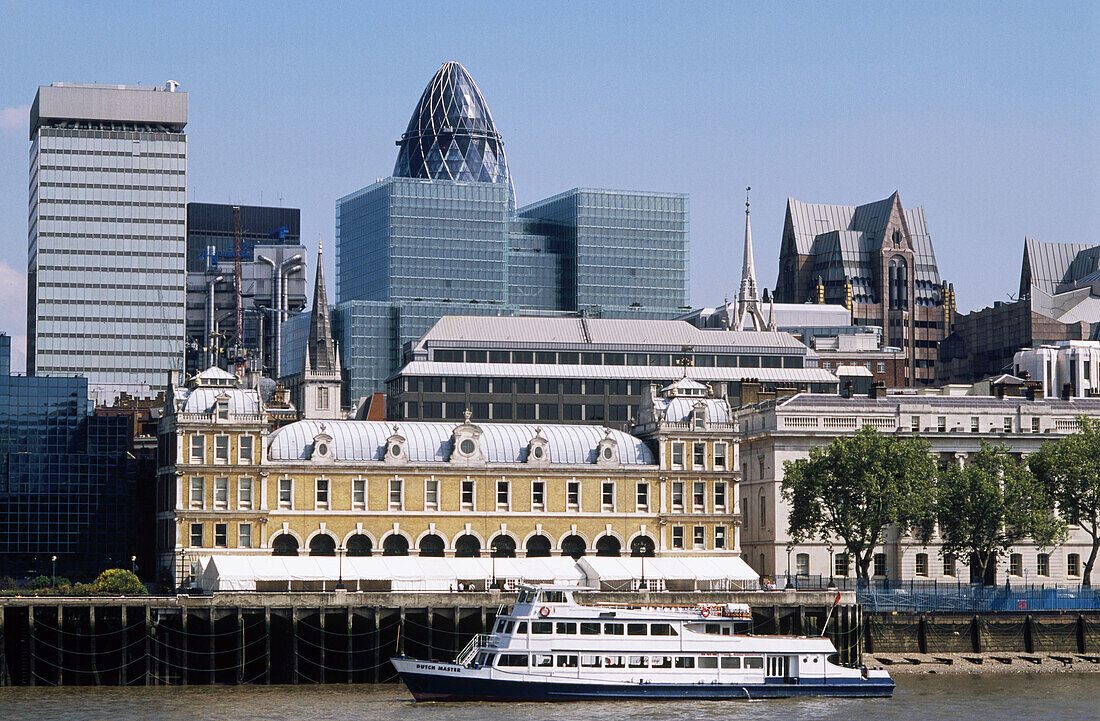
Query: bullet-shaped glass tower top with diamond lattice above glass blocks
x: 452, y: 136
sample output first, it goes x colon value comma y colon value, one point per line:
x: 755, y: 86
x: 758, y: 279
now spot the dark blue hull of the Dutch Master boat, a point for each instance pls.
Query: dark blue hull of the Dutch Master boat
x: 428, y: 686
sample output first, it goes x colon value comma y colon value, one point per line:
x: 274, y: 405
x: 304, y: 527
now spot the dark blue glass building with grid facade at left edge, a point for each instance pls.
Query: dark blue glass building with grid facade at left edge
x: 67, y: 483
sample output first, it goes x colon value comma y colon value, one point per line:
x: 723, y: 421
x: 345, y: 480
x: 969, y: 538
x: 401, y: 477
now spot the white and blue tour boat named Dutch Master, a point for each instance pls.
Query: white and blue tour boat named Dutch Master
x: 551, y: 648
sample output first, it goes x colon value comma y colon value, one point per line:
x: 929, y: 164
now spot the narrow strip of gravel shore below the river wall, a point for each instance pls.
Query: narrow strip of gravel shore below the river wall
x: 987, y: 663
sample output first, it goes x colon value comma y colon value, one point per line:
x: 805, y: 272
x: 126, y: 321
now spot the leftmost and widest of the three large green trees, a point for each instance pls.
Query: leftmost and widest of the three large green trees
x: 857, y: 486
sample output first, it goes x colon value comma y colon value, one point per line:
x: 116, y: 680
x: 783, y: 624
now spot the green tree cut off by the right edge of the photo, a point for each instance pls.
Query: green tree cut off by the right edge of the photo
x: 1070, y: 471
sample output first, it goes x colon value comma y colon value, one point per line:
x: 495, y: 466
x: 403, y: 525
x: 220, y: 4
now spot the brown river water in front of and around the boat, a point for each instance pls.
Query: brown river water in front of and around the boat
x: 1054, y: 697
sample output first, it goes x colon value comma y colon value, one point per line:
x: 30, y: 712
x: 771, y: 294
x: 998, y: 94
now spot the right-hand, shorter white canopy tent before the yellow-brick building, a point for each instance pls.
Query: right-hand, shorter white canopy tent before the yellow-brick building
x: 666, y: 573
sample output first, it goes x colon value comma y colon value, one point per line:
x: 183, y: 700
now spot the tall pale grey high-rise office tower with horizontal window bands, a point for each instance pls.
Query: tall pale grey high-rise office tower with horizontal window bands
x: 107, y: 247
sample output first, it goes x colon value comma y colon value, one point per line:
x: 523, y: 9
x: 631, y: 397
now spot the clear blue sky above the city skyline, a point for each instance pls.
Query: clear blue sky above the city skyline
x: 988, y: 115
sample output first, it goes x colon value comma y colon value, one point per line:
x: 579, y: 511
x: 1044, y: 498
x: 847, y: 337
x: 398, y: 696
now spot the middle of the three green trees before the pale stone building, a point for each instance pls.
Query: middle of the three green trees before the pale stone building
x: 992, y: 505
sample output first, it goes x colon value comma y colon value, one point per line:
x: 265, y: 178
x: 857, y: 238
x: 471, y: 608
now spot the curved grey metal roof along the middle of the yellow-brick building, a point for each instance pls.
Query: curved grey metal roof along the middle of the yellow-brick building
x: 433, y: 443
